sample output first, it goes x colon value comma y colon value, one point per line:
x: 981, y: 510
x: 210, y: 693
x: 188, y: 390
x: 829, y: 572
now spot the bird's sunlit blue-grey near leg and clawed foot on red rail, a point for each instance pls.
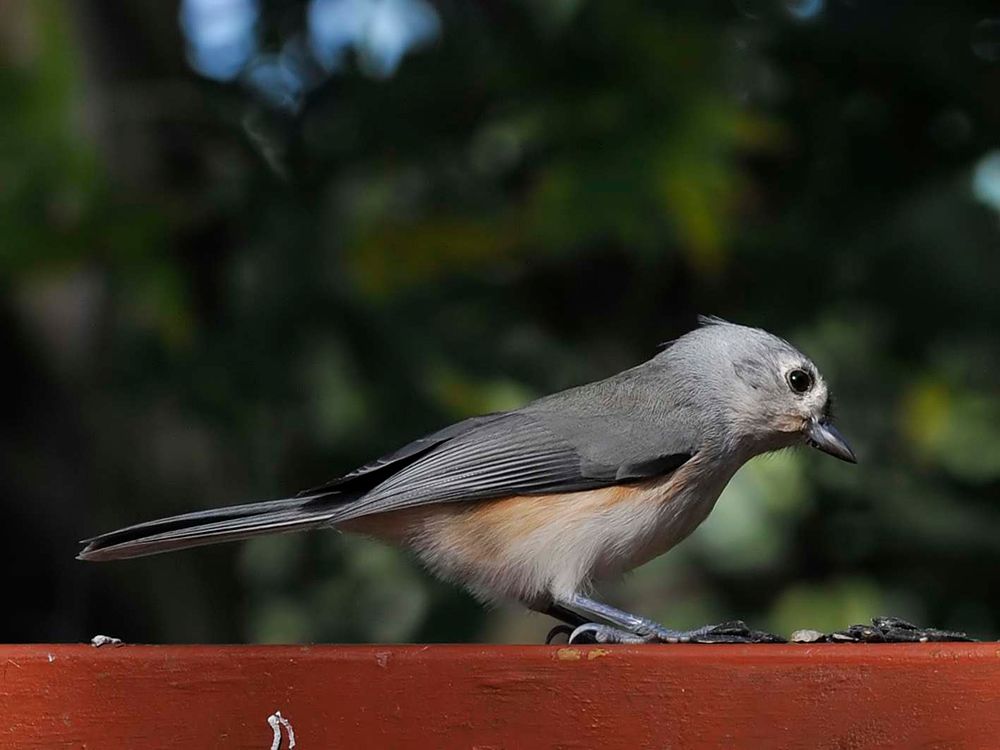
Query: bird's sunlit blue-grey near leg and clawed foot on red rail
x: 624, y: 627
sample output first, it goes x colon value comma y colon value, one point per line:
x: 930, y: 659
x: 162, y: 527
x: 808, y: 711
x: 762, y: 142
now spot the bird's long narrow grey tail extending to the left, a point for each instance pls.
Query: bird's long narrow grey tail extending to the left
x: 209, y: 527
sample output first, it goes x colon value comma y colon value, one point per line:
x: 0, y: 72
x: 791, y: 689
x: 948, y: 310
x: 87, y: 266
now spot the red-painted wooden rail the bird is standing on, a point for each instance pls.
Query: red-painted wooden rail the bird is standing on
x: 493, y: 697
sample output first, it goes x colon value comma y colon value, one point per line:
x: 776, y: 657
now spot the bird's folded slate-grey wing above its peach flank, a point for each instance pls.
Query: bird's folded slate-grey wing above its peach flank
x: 545, y: 449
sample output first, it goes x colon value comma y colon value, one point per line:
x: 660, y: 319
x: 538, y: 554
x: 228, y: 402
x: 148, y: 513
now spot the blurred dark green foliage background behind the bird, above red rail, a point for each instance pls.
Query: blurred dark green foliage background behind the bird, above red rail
x: 246, y: 245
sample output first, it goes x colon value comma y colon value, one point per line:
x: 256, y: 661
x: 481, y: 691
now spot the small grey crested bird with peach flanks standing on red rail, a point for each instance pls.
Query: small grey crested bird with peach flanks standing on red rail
x: 538, y: 504
